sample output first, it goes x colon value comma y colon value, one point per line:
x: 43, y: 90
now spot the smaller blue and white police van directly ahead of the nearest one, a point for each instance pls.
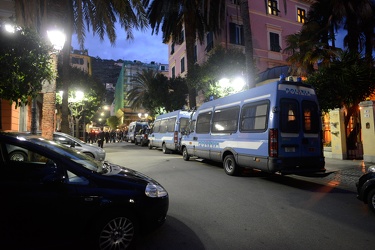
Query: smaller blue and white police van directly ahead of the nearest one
x: 166, y: 132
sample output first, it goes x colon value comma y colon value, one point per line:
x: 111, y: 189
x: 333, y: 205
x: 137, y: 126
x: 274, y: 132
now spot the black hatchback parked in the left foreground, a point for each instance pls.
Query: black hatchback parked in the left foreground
x: 58, y: 194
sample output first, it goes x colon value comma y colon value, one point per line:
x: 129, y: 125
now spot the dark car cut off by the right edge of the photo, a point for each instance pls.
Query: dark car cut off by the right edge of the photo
x: 366, y: 188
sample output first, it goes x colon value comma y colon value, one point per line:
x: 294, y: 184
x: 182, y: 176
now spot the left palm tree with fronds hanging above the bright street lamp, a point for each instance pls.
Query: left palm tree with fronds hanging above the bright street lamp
x: 79, y: 16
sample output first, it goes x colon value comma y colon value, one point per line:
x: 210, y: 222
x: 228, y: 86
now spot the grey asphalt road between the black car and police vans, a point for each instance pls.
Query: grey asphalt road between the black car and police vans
x: 211, y: 210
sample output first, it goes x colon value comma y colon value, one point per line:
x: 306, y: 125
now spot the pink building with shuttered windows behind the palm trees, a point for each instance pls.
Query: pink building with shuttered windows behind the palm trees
x: 271, y: 21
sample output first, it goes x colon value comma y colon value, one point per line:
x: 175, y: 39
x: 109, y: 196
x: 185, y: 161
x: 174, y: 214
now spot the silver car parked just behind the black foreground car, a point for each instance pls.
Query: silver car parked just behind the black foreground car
x: 88, y: 149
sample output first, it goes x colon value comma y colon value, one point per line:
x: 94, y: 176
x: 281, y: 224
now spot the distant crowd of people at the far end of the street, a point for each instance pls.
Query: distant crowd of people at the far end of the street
x: 105, y: 136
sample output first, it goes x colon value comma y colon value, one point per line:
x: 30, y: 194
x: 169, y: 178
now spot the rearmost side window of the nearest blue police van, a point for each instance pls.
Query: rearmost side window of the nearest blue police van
x: 254, y: 117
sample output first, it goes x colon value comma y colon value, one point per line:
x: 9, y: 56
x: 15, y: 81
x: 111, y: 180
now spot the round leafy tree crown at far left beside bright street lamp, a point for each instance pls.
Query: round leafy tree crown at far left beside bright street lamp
x: 25, y: 63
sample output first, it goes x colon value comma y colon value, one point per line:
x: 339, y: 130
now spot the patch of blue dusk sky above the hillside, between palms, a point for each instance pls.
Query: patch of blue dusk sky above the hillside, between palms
x: 145, y: 47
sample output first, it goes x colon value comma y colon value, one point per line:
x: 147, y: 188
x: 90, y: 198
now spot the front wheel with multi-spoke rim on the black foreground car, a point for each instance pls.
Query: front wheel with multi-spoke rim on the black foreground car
x: 118, y: 231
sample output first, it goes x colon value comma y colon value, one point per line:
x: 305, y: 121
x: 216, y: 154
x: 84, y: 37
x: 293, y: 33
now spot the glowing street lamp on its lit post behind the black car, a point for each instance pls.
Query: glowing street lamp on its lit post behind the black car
x: 57, y: 39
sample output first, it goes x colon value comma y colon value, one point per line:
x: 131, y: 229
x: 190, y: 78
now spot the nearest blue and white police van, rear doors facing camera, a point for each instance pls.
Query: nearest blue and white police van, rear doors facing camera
x: 274, y: 128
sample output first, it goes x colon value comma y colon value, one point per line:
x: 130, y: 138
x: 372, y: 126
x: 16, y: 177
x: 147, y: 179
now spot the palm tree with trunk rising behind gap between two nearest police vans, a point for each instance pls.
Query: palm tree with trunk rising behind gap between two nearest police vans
x: 194, y: 18
